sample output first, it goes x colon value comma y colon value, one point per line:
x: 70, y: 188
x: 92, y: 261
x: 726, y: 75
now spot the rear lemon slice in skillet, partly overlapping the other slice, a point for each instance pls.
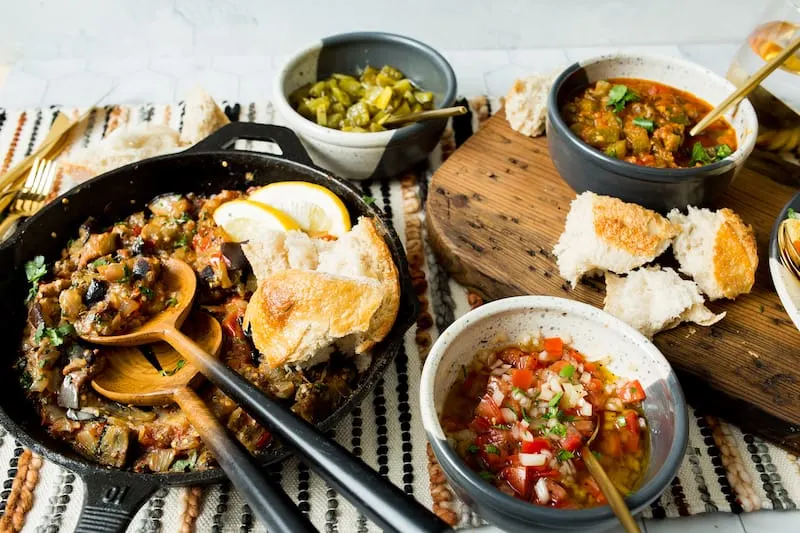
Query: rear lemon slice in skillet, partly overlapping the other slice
x: 315, y: 208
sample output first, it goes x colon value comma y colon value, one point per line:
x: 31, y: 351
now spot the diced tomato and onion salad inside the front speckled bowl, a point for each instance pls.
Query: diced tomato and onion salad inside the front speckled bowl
x: 520, y: 415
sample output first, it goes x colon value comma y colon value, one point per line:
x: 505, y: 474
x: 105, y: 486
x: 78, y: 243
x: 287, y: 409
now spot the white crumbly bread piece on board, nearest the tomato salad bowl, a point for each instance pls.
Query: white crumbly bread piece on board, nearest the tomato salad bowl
x: 653, y: 299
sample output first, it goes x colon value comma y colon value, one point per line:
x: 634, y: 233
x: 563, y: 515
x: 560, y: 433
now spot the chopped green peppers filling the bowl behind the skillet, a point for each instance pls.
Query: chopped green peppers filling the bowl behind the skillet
x: 362, y: 104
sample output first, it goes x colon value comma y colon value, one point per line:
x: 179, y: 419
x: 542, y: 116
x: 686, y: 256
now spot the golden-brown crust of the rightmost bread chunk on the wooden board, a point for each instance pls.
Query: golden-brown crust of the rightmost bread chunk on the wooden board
x: 735, y: 255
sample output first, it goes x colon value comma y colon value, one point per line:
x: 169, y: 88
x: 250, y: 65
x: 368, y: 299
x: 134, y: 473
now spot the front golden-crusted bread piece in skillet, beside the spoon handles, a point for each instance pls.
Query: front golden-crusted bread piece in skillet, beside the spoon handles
x: 296, y: 317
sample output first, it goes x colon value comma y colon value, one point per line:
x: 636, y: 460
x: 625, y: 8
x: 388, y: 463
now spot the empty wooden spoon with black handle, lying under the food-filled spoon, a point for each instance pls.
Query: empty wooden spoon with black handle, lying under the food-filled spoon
x: 130, y: 378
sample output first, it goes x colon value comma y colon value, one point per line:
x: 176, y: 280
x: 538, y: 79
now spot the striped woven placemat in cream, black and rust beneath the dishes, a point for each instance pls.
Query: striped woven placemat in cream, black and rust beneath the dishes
x: 724, y: 469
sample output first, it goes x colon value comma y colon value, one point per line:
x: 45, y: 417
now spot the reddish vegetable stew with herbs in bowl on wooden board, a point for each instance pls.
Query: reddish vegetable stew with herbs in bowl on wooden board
x: 647, y: 123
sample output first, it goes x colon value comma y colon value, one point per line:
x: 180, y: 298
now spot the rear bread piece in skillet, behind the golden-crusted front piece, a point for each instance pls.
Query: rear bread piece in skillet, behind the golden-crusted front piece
x: 362, y: 252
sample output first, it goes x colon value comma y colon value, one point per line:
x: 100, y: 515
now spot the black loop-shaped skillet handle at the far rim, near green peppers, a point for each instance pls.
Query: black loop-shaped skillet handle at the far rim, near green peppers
x: 225, y: 137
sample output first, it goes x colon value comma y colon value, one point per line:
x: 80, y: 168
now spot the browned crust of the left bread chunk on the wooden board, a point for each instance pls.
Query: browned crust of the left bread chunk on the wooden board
x: 631, y: 227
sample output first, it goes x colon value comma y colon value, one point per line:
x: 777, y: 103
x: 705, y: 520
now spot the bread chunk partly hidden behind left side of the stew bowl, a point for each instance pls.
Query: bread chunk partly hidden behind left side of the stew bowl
x: 526, y: 104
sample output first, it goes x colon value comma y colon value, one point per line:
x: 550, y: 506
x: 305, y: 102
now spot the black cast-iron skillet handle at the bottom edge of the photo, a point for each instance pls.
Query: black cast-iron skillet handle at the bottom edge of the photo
x: 109, y: 507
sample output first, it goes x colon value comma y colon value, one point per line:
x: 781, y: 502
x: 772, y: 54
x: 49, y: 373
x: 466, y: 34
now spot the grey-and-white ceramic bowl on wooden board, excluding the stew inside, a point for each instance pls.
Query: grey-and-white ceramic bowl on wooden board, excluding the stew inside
x: 588, y: 169
